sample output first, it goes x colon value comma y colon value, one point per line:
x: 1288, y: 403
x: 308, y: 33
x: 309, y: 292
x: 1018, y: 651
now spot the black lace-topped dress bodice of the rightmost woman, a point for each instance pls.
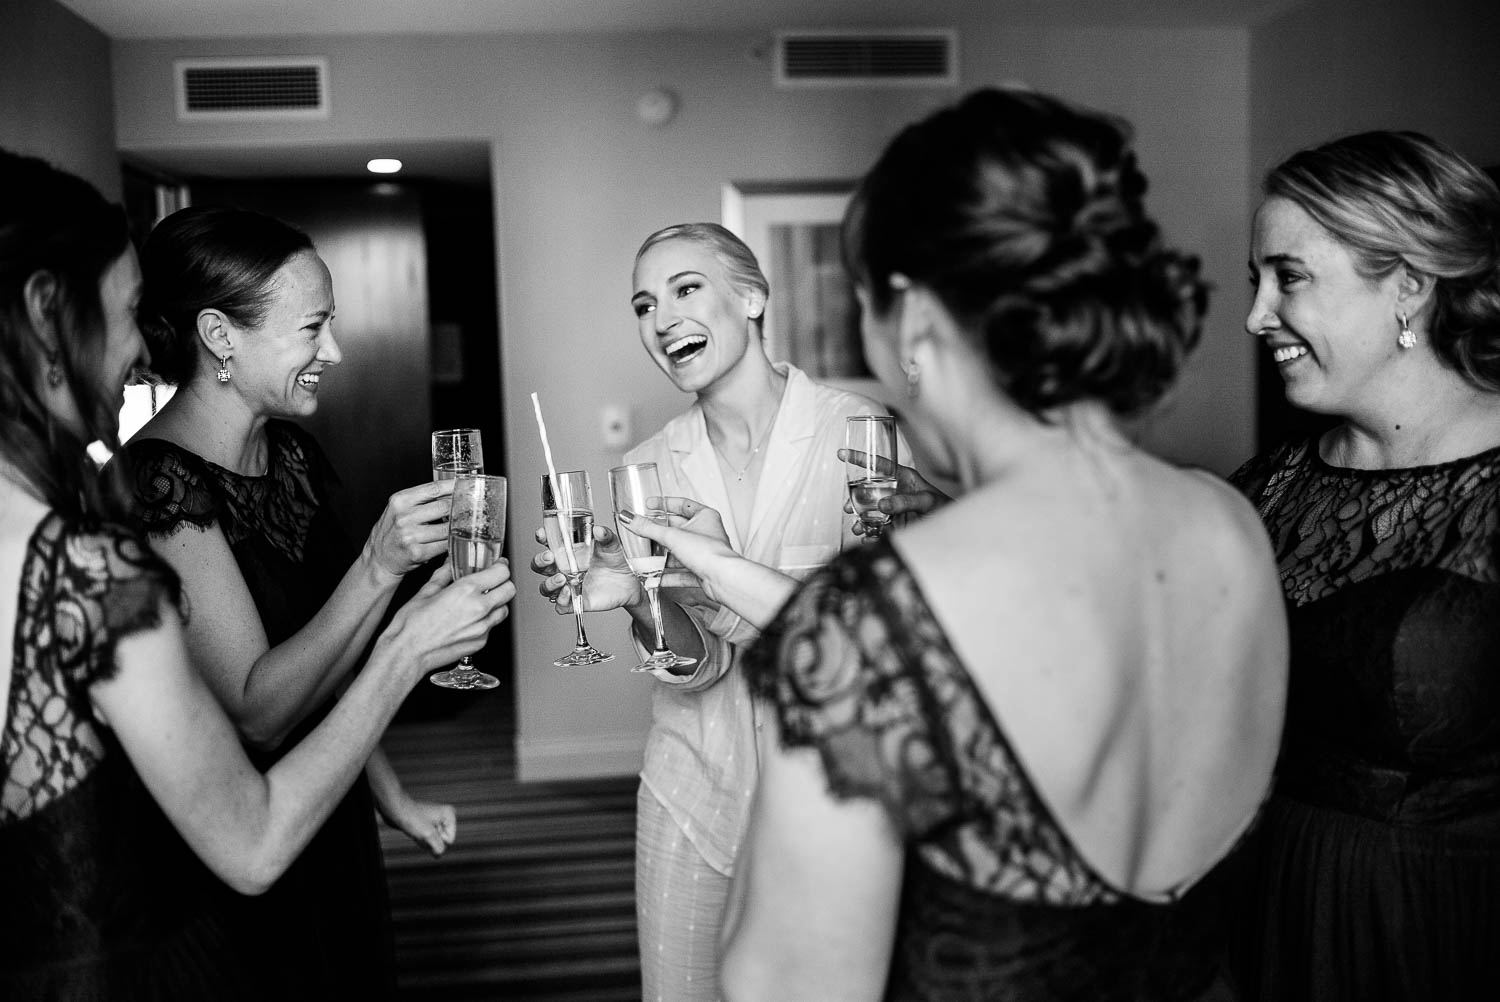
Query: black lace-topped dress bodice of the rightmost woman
x: 1393, y: 587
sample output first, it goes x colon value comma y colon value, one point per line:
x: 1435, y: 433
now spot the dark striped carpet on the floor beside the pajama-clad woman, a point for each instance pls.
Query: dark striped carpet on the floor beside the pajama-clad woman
x: 536, y: 899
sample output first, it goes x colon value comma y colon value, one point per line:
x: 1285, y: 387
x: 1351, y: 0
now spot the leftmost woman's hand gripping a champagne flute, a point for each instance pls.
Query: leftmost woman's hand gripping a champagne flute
x: 451, y: 619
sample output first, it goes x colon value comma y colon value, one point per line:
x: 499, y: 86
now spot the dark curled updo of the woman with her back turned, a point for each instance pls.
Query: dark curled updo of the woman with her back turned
x: 1024, y: 215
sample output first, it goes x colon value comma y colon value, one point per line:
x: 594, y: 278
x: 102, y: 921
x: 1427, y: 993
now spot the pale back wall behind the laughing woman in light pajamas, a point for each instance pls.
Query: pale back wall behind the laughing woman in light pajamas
x: 580, y: 182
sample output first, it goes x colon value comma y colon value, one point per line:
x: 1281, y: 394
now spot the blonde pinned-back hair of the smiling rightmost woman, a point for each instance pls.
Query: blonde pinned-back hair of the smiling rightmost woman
x: 1402, y: 199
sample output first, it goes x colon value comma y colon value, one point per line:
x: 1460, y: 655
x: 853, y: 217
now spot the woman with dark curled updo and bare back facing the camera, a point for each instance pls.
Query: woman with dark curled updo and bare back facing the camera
x: 1012, y: 749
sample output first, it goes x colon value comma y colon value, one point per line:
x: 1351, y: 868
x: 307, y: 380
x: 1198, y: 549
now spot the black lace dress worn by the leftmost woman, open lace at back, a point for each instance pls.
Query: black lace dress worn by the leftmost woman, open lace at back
x: 100, y: 898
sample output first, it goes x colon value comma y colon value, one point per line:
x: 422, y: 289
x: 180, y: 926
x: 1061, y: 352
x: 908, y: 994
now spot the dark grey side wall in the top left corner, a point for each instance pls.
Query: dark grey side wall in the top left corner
x: 56, y: 91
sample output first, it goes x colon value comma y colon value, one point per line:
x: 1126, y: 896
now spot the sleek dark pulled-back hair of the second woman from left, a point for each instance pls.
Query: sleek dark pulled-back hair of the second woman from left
x: 212, y: 257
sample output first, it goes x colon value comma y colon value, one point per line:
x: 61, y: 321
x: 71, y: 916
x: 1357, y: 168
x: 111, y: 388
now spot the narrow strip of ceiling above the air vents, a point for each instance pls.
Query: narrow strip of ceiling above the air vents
x: 244, y: 19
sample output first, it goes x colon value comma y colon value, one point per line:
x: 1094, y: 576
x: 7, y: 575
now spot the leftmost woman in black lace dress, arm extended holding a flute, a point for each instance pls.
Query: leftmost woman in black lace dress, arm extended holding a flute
x: 127, y: 796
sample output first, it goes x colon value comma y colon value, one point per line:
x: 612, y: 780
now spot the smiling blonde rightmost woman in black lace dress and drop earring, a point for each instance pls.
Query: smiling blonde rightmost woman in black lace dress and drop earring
x: 1376, y: 262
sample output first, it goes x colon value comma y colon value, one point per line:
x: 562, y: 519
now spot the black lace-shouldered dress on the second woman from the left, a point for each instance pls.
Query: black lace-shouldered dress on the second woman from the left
x: 326, y: 920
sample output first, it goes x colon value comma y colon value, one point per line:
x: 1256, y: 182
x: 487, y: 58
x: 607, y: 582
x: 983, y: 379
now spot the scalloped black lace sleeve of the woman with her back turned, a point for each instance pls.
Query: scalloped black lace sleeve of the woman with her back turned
x: 838, y: 682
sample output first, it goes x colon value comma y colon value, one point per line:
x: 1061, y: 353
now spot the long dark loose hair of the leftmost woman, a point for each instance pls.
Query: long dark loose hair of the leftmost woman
x: 59, y: 226
